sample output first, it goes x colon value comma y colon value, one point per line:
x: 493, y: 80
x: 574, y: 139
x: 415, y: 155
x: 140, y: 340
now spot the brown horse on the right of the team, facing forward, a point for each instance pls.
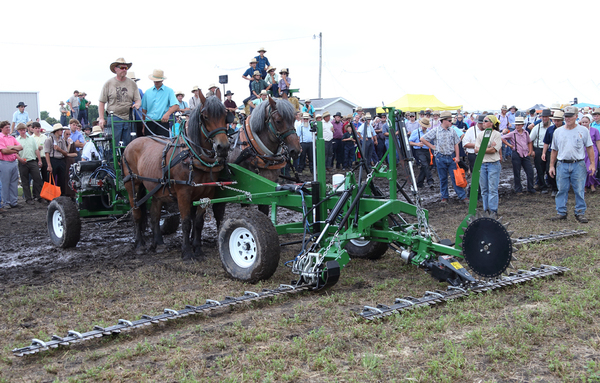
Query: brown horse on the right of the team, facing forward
x: 266, y: 143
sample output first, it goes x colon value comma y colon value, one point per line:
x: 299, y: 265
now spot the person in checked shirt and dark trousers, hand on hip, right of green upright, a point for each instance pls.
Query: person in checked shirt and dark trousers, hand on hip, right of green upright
x: 520, y: 143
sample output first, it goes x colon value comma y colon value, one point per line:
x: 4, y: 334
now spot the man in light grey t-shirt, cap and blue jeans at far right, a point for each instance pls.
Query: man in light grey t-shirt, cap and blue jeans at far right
x: 569, y: 145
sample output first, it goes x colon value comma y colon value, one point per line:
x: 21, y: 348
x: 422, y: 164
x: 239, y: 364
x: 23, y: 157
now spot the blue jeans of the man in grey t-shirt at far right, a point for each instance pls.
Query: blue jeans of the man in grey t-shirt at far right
x: 570, y: 175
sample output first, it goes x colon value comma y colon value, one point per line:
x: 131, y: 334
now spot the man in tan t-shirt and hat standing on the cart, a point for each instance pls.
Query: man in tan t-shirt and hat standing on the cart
x: 118, y: 96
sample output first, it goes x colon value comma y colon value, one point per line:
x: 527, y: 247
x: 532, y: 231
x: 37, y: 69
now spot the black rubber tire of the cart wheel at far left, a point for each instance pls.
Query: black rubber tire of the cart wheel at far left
x: 71, y: 222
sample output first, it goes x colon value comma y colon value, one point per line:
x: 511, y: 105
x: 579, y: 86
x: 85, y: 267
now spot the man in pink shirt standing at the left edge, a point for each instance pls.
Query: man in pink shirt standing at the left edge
x: 9, y: 170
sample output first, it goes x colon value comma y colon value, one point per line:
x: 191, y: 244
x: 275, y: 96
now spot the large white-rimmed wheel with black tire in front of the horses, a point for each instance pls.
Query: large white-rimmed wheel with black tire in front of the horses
x: 249, y: 246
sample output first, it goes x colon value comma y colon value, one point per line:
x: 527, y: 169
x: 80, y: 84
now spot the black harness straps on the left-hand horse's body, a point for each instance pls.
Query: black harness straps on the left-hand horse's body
x: 185, y: 157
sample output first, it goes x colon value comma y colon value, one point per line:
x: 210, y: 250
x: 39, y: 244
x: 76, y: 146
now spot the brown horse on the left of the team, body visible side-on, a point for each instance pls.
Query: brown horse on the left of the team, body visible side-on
x: 174, y: 169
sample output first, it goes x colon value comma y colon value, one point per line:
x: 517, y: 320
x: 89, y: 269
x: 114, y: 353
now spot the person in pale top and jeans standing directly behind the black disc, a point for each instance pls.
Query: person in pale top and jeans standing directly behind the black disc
x: 489, y: 176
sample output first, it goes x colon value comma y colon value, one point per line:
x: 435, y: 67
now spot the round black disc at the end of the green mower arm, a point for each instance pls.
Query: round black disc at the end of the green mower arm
x: 487, y: 247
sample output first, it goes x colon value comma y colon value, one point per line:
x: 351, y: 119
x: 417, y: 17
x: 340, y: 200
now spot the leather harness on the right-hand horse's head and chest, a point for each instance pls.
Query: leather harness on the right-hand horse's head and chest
x: 257, y: 153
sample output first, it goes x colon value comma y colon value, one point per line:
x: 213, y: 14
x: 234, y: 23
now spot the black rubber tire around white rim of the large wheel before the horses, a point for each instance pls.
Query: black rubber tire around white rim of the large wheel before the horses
x: 266, y: 241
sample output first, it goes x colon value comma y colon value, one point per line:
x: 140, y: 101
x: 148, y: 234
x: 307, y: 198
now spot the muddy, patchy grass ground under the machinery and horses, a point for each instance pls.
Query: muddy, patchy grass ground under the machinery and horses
x: 46, y: 290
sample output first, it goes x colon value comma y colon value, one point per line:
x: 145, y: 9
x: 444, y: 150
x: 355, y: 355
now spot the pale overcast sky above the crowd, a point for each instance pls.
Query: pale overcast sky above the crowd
x: 476, y: 54
